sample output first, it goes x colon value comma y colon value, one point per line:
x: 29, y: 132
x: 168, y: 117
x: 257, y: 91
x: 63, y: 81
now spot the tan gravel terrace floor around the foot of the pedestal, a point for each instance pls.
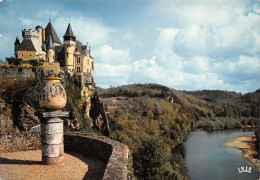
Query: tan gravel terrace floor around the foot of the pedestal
x: 27, y: 165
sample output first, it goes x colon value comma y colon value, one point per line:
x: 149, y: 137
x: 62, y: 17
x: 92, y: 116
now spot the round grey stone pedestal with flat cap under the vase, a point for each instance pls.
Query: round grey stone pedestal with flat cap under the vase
x: 52, y: 137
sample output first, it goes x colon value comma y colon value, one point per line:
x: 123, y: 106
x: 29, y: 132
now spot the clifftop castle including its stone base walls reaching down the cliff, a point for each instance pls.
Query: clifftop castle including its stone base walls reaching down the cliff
x: 44, y: 46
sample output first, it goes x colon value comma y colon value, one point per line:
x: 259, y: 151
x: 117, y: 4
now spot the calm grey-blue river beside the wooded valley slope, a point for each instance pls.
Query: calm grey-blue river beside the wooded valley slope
x: 207, y: 158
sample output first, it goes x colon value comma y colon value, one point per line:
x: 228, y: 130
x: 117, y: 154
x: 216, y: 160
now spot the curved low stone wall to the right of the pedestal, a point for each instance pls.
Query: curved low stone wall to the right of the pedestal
x: 112, y: 152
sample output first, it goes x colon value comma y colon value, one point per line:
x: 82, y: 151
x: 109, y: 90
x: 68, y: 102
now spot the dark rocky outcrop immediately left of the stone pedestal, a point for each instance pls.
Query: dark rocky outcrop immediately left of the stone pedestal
x: 27, y: 118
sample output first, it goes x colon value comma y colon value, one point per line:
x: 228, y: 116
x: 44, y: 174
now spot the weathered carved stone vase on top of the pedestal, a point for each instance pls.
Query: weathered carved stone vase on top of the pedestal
x: 53, y: 95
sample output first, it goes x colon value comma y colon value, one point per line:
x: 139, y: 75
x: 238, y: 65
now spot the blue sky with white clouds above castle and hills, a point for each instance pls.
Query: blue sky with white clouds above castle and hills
x: 182, y: 44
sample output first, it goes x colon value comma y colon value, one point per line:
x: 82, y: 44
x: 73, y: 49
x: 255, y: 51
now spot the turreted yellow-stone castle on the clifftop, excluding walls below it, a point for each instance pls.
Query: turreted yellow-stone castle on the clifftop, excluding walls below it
x: 44, y: 45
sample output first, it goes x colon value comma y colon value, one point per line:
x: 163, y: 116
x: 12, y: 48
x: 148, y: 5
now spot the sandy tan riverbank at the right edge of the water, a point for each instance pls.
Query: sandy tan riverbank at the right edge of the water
x: 247, y: 145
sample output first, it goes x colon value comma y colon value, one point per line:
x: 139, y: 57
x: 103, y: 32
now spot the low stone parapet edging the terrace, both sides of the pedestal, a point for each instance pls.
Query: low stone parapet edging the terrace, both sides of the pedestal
x: 112, y: 152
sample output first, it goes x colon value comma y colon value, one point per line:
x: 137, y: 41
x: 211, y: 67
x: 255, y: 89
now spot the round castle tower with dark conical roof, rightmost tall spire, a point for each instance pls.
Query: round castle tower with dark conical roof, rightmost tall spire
x: 69, y: 46
